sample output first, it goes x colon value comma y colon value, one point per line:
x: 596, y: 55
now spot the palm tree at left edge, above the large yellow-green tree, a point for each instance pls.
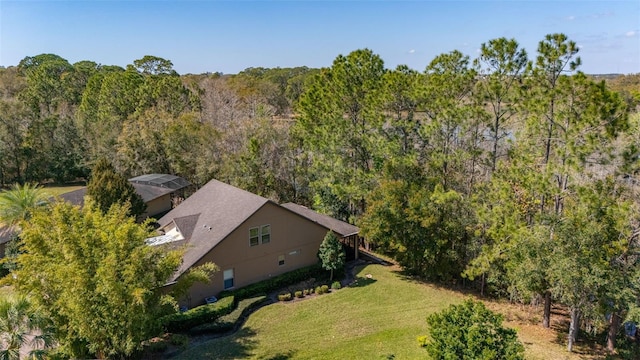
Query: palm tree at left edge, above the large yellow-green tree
x: 18, y: 203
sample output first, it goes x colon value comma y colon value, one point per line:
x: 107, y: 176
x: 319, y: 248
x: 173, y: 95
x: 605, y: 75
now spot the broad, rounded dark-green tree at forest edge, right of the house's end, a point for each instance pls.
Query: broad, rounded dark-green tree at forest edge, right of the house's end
x: 419, y: 222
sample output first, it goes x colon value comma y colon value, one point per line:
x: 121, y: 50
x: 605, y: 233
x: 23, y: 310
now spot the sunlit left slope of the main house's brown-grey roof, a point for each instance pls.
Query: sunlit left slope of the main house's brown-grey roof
x: 208, y: 216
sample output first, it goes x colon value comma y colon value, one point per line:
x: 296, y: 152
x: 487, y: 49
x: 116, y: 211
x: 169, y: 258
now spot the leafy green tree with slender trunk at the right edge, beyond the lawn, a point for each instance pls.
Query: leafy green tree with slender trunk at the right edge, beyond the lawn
x: 591, y: 243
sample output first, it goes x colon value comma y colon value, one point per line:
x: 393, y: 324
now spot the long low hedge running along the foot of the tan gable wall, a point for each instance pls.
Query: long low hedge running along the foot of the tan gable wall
x: 275, y: 283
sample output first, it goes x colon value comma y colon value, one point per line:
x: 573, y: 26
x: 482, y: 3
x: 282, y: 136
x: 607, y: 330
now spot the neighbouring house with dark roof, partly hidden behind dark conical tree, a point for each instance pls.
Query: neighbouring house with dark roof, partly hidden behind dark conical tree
x: 156, y: 190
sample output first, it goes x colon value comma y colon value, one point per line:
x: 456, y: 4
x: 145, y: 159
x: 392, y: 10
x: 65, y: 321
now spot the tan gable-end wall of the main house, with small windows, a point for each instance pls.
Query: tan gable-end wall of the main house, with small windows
x: 292, y: 237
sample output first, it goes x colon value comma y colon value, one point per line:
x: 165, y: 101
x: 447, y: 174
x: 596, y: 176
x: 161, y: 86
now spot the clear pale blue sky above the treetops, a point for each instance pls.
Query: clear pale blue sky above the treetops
x: 229, y: 36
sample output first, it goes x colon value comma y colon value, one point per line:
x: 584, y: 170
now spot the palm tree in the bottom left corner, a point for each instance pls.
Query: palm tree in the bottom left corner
x: 22, y: 330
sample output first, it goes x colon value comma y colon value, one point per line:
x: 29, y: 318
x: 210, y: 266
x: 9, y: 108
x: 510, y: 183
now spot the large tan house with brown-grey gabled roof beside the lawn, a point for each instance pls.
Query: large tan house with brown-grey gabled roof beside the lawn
x: 250, y: 238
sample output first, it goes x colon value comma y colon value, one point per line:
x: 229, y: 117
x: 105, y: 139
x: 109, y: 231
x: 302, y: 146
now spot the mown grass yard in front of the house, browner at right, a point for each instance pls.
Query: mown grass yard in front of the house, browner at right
x: 377, y: 318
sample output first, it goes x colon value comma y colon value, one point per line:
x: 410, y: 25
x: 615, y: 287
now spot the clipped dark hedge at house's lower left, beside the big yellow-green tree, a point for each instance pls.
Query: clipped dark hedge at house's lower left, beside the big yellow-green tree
x: 181, y: 322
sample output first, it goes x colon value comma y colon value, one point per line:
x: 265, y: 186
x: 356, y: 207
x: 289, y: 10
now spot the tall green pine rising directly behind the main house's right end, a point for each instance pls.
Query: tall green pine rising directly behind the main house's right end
x: 339, y: 124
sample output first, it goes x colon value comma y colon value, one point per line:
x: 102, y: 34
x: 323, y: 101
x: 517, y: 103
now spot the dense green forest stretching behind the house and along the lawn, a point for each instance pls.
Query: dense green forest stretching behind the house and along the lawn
x: 515, y: 174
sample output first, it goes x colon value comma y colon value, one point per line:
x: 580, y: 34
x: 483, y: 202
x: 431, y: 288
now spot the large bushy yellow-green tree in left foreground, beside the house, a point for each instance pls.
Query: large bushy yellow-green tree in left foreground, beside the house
x: 93, y: 275
